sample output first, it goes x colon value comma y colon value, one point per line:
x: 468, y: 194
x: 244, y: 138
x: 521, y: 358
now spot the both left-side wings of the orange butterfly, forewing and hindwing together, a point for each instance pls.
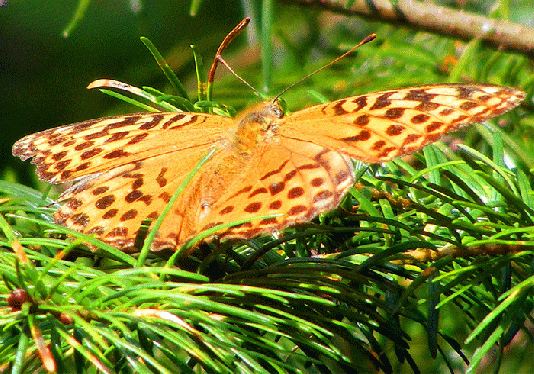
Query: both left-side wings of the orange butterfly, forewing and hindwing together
x: 128, y: 167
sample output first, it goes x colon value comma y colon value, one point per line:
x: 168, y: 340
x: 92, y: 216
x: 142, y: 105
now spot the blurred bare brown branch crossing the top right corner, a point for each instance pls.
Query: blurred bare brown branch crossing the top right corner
x: 429, y: 17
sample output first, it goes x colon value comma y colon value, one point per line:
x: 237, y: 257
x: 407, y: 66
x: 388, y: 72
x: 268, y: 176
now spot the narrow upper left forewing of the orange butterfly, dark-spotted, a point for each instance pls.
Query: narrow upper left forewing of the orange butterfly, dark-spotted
x: 73, y: 151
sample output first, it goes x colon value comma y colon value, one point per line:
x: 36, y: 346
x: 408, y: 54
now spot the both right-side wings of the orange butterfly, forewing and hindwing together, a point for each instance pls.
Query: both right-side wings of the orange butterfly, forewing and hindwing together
x: 307, y: 171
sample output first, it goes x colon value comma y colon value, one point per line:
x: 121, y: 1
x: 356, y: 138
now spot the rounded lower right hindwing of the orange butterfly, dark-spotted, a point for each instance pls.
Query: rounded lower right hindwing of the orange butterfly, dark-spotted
x: 286, y: 182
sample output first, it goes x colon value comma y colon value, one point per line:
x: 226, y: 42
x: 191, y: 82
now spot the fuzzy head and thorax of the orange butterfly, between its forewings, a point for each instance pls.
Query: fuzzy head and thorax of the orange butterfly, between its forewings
x: 256, y: 126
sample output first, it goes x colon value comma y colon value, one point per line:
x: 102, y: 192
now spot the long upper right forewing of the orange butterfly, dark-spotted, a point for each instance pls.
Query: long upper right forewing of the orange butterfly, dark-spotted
x: 380, y: 126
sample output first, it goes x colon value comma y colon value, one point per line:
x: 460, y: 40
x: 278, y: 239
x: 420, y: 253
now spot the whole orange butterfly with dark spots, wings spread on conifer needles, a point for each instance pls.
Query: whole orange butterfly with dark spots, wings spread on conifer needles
x: 267, y: 171
